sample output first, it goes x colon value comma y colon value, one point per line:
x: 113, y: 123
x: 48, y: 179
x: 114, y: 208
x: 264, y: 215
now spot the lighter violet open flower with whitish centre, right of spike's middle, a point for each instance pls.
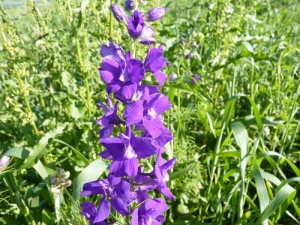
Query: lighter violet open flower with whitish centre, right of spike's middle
x: 147, y: 111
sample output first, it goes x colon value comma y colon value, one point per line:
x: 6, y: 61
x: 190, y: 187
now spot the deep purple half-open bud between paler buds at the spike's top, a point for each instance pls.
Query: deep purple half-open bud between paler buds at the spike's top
x: 136, y: 24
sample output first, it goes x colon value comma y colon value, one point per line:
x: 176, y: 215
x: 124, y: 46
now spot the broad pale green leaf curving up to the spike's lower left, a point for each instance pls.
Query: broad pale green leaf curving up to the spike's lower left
x: 92, y: 172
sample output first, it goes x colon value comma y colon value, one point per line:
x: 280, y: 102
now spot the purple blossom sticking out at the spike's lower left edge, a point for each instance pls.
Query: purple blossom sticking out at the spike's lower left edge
x: 114, y: 189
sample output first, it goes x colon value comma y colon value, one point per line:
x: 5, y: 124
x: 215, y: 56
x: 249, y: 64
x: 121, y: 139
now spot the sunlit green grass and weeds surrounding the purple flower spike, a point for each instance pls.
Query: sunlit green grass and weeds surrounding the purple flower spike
x: 236, y: 129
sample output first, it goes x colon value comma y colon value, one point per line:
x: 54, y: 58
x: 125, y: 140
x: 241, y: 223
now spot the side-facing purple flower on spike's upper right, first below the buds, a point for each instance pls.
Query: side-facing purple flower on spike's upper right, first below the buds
x: 154, y: 63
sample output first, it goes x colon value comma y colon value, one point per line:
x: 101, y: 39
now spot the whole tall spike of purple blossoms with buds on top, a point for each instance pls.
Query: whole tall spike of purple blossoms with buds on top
x: 140, y: 128
